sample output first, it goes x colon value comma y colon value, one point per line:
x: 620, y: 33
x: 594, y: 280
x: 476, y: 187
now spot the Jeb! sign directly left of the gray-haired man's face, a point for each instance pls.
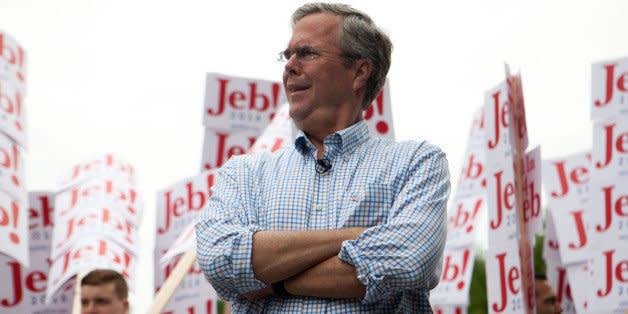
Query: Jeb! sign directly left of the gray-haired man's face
x: 240, y: 104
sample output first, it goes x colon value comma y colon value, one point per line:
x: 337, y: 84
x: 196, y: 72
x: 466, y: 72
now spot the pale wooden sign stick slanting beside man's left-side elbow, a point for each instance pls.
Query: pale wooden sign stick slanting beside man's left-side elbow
x: 173, y: 281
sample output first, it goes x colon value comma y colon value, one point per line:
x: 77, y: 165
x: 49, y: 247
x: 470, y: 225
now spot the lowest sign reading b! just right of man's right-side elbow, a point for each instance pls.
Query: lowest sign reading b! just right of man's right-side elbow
x: 455, y: 280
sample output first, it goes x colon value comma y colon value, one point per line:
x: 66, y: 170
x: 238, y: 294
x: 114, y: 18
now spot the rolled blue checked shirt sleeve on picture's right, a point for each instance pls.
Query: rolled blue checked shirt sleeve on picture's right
x: 406, y: 253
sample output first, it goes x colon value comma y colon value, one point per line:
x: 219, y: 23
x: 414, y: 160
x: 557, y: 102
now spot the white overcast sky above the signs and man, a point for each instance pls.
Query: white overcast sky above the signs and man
x: 128, y: 76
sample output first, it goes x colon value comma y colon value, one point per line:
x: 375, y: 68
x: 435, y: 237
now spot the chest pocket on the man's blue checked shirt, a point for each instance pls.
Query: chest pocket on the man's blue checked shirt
x: 366, y: 206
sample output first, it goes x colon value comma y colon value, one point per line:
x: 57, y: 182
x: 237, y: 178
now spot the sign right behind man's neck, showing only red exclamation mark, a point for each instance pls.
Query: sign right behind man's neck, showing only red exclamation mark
x: 378, y: 116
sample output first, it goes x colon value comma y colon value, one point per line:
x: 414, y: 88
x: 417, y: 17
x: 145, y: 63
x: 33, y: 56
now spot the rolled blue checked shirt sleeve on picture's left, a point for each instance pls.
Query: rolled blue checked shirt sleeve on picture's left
x: 224, y: 236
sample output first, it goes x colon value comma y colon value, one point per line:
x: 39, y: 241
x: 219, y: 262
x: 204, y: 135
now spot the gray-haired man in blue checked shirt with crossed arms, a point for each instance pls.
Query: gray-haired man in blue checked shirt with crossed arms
x: 341, y: 221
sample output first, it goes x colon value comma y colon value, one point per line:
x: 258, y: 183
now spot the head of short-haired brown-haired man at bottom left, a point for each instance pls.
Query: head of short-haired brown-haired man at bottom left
x: 104, y: 291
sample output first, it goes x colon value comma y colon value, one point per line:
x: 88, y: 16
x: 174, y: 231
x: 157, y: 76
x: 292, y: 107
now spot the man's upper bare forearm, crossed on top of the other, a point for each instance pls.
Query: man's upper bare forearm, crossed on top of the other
x: 278, y: 255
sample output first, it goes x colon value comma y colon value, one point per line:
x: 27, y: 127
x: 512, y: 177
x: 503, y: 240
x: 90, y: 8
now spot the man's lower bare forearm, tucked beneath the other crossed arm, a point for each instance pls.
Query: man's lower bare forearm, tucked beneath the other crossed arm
x: 333, y: 278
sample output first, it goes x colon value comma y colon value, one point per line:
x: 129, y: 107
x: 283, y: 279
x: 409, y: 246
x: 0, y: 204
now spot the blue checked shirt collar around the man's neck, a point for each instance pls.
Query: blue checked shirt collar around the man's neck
x: 344, y: 141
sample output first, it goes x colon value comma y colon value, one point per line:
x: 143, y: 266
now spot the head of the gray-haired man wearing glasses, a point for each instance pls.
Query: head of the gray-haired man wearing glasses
x: 337, y: 61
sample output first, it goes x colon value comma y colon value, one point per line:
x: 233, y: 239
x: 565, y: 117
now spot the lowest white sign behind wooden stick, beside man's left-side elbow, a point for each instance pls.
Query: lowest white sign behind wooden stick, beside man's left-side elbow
x: 194, y: 294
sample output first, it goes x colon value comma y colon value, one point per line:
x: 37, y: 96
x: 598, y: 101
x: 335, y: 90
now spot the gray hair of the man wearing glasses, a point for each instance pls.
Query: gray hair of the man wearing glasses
x: 360, y: 38
